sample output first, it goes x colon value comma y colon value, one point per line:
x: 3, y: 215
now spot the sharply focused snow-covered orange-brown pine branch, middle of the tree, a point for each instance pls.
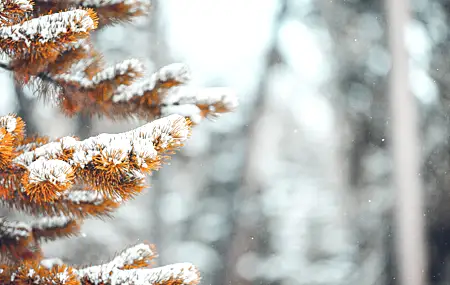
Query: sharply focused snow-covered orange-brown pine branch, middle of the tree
x: 112, y: 164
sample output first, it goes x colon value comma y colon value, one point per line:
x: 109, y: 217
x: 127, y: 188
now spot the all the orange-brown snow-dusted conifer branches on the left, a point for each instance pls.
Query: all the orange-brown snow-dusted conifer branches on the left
x: 46, y: 46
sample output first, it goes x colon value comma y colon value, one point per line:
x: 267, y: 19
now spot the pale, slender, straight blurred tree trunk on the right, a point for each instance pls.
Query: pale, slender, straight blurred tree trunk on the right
x: 409, y: 233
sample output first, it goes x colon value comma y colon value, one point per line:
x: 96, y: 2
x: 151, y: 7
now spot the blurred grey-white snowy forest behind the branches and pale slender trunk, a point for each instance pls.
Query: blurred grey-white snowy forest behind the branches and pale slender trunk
x: 295, y: 187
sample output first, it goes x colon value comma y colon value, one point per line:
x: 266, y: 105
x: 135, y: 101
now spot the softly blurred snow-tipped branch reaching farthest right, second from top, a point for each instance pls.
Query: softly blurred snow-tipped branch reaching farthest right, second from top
x: 114, y: 91
